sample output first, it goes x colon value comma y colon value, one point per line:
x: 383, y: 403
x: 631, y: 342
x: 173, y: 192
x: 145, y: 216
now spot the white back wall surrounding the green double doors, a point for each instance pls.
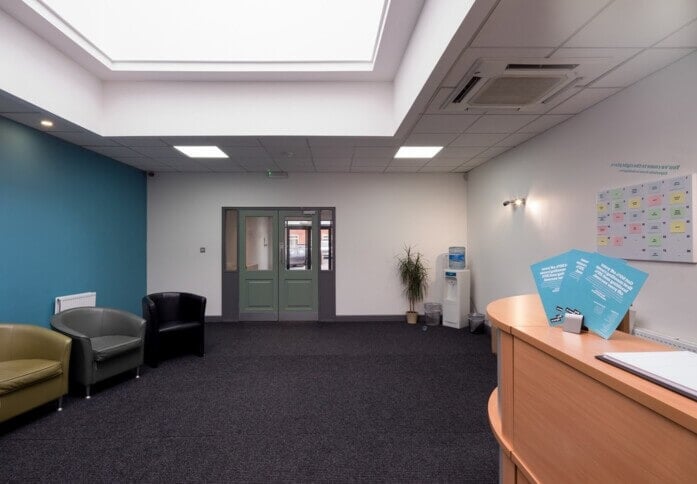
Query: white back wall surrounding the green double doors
x: 376, y: 214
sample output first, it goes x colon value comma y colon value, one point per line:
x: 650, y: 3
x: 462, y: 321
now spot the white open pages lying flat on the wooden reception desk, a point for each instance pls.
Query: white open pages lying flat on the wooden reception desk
x: 675, y: 370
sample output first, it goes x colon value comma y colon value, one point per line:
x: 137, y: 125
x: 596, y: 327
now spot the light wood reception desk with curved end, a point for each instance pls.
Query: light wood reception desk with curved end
x: 561, y: 415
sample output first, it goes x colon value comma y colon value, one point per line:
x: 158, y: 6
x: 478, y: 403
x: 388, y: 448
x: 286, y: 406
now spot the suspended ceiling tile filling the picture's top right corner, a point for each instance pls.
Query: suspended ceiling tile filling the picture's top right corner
x: 635, y: 23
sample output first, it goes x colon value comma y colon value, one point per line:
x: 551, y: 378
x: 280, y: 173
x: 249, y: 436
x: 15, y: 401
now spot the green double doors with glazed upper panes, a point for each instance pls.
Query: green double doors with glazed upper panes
x: 278, y: 265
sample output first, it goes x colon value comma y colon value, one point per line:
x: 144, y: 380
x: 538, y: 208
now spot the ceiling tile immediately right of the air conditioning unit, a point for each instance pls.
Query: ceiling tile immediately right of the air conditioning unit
x: 642, y: 65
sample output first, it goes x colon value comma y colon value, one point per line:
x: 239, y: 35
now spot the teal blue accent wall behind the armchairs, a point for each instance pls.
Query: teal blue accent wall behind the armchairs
x: 71, y: 221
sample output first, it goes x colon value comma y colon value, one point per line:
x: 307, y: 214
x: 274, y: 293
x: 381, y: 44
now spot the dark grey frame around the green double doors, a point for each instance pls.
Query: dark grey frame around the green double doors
x: 326, y: 293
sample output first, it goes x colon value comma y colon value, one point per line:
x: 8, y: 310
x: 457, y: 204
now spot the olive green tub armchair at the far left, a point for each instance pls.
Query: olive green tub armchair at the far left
x: 34, y: 364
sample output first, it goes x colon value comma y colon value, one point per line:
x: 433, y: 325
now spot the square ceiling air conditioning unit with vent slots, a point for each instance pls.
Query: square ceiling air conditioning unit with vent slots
x: 518, y: 84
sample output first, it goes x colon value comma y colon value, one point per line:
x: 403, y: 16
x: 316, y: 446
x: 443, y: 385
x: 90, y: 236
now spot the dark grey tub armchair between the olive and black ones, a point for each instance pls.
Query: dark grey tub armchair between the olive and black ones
x: 106, y: 342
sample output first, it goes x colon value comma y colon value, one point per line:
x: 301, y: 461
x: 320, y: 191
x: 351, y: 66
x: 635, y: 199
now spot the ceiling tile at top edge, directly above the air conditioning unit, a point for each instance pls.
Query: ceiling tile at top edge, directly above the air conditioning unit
x: 535, y: 23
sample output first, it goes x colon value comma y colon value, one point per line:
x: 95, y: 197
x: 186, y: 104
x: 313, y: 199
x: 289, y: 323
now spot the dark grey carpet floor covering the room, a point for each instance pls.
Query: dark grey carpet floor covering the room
x: 299, y: 402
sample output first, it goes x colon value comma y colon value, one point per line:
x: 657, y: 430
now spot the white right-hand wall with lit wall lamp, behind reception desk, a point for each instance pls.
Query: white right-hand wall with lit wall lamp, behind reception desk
x: 560, y: 171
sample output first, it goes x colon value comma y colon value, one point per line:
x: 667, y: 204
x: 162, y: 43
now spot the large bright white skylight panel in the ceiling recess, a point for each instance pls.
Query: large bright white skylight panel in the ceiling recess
x: 237, y: 31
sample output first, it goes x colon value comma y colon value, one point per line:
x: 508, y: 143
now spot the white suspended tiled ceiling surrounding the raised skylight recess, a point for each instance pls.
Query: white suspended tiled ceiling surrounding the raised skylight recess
x: 627, y: 39
